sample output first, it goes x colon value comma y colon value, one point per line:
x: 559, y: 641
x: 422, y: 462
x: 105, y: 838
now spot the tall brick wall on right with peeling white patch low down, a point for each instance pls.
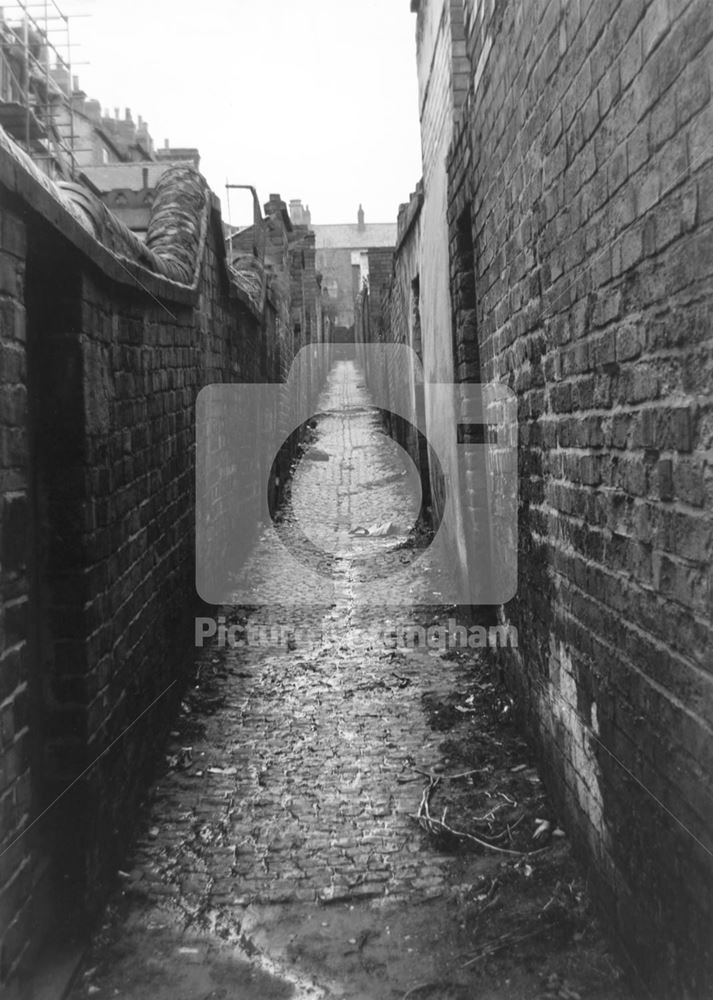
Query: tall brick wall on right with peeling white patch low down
x: 581, y: 184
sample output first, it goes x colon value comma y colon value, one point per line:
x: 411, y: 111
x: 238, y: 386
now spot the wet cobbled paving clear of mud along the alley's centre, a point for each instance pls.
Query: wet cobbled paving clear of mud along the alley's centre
x: 302, y: 784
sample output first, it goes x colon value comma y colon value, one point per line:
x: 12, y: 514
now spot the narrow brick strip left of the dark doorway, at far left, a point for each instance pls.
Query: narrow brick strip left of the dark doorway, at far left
x: 23, y: 860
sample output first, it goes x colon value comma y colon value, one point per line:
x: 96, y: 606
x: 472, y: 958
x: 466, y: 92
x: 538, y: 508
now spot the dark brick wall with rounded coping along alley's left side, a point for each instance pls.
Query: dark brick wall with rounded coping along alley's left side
x: 97, y: 517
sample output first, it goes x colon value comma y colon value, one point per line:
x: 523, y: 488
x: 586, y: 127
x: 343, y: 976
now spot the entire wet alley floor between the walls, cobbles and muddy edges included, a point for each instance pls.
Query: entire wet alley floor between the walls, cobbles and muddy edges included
x: 336, y: 818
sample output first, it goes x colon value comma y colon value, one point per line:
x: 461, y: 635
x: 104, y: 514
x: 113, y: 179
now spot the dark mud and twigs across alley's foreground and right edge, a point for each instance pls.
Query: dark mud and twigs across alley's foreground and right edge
x: 515, y: 921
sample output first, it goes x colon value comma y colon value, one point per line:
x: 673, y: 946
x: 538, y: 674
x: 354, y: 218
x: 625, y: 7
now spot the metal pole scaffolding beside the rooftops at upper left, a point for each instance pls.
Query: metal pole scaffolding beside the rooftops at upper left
x: 36, y: 84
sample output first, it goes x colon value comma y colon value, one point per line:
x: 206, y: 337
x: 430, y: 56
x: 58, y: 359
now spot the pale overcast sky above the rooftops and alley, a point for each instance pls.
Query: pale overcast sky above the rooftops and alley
x: 314, y: 99
